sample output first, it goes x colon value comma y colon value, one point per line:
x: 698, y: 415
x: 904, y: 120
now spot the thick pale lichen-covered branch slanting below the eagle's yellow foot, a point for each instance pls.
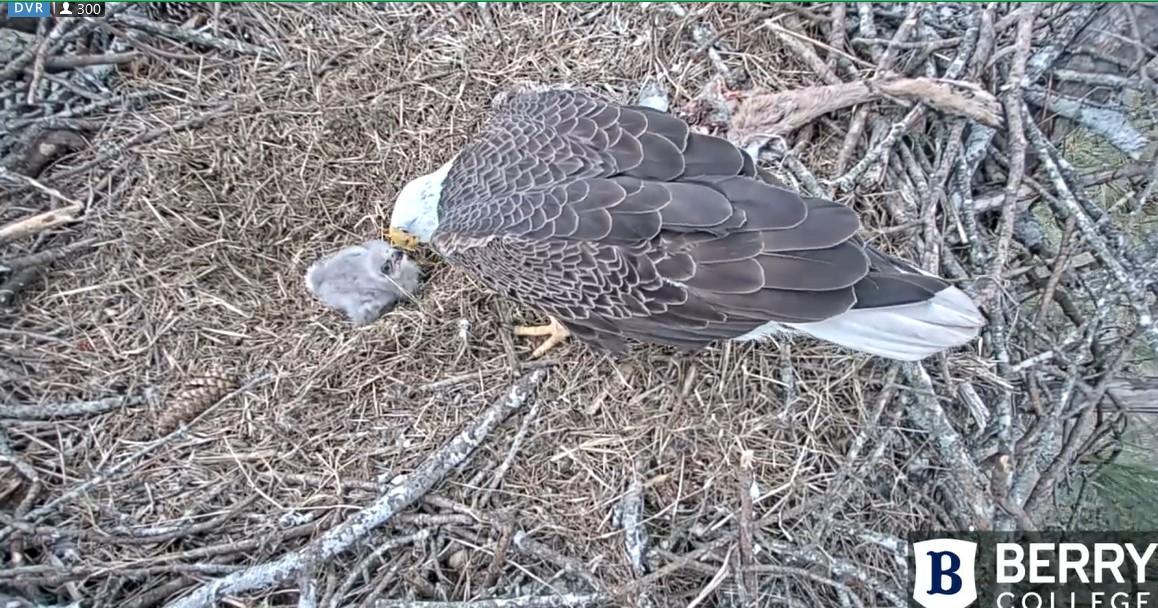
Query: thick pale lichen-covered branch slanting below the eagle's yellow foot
x: 335, y: 541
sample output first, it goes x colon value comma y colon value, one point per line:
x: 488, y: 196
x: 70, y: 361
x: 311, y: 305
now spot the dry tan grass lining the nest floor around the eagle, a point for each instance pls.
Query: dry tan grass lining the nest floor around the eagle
x: 204, y: 237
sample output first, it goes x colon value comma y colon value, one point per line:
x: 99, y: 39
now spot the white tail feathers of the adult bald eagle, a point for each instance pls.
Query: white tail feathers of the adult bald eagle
x: 908, y: 333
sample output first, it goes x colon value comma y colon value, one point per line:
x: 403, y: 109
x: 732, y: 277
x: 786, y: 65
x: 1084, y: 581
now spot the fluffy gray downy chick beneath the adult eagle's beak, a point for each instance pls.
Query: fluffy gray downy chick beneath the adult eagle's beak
x: 364, y: 281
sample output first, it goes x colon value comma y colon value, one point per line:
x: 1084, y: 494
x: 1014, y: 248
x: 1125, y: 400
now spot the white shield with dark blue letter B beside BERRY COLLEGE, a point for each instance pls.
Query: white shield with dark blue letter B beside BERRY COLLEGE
x: 944, y: 574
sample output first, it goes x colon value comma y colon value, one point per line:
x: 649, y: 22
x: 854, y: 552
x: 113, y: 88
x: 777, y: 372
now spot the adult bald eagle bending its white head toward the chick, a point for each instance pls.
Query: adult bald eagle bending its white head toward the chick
x: 620, y: 223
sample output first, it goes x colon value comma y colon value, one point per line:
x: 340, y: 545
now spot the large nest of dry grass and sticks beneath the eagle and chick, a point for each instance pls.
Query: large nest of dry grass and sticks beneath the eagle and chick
x: 185, y: 424
